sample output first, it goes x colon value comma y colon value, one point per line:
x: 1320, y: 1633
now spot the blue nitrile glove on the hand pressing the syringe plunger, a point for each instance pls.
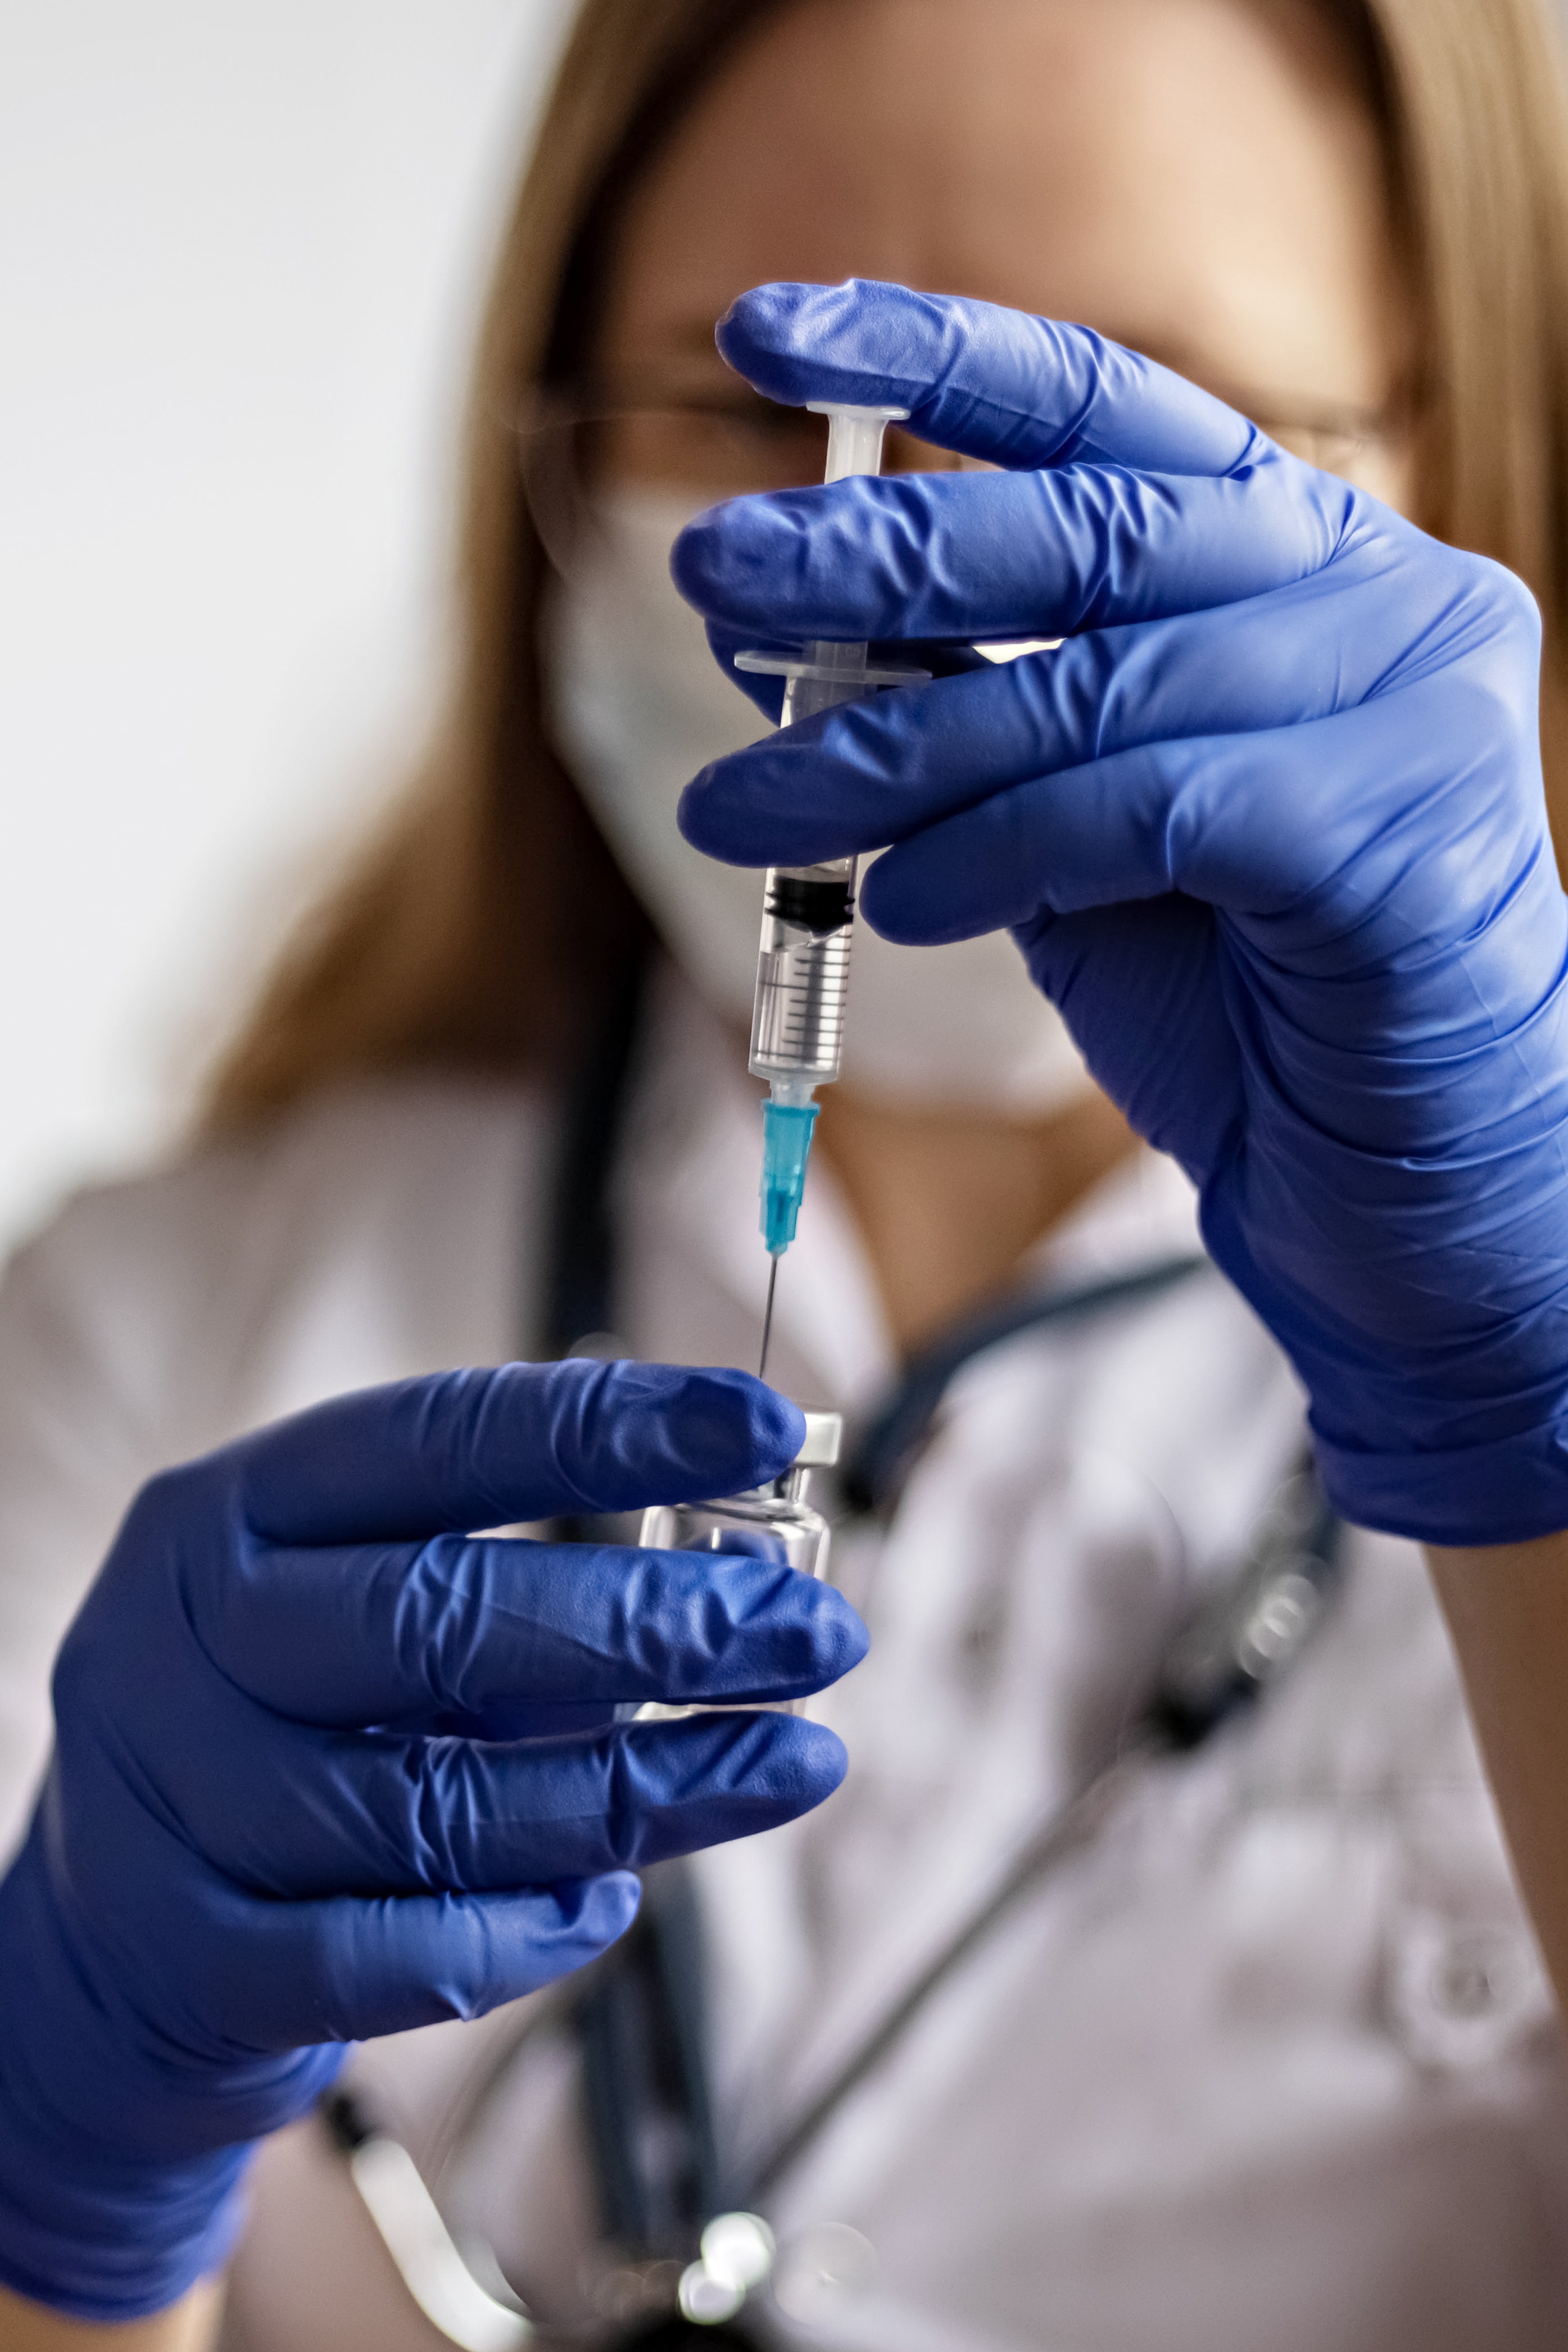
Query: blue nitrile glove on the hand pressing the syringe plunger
x: 1271, y: 834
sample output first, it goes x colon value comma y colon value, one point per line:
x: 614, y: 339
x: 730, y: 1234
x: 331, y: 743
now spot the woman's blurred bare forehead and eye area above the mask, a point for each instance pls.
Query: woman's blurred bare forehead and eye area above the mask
x: 1193, y: 178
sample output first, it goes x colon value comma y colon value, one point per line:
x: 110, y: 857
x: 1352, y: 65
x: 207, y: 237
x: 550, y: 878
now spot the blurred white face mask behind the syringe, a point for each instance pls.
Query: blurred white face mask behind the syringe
x: 641, y: 707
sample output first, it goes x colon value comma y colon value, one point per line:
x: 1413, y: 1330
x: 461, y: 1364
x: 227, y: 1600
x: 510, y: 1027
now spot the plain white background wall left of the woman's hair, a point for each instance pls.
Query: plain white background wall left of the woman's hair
x: 241, y: 260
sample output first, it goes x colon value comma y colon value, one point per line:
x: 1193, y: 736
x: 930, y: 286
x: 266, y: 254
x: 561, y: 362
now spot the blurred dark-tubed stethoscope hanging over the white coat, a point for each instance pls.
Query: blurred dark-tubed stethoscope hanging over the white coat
x: 692, y: 2252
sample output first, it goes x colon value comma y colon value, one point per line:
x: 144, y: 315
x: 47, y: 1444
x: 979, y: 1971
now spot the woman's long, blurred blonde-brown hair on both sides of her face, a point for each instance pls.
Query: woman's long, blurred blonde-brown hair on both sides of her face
x: 488, y: 921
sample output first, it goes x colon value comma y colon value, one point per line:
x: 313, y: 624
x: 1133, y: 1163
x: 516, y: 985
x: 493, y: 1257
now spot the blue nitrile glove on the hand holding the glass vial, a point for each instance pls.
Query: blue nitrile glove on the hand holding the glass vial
x: 255, y: 1845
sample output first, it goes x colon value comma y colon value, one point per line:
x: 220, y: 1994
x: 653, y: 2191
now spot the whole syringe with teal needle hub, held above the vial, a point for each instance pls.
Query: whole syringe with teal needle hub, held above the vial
x: 808, y: 911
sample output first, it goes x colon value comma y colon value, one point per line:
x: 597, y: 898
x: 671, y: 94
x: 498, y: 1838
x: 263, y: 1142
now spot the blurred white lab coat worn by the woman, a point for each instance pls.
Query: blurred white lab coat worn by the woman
x: 1271, y: 2069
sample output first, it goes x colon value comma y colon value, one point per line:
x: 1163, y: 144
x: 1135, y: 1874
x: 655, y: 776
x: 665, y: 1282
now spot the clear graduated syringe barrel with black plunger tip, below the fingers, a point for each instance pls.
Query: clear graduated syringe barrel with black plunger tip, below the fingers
x: 803, y: 975
